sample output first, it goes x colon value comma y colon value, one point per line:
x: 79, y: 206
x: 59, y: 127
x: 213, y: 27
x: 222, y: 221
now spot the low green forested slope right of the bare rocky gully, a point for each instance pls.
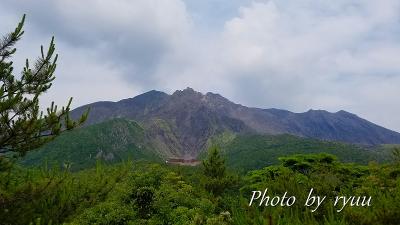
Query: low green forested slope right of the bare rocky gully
x: 247, y: 152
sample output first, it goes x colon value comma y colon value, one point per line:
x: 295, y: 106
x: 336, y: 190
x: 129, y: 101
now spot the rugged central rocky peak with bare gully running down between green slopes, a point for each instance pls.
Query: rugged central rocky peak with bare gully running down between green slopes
x: 177, y: 125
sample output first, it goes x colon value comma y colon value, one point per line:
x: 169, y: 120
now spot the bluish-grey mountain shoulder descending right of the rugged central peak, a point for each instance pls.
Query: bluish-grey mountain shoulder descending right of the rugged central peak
x: 340, y: 126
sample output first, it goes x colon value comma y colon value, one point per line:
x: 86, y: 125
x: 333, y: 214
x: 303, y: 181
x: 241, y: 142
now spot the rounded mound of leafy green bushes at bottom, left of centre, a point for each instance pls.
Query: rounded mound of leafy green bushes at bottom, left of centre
x: 151, y: 194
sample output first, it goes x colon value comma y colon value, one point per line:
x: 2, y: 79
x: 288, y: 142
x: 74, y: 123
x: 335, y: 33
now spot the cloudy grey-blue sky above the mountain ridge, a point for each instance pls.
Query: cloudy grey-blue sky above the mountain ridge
x: 288, y: 54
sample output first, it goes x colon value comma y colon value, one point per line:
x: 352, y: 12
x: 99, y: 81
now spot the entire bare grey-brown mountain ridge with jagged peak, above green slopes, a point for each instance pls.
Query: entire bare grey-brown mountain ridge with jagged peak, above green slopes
x: 182, y: 124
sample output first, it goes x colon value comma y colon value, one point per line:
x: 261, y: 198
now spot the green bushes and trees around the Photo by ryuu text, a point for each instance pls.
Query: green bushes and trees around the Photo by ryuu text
x: 299, y: 173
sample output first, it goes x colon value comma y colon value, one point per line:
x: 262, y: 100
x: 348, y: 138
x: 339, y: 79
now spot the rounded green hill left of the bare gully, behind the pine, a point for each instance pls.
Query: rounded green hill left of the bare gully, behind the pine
x: 111, y: 141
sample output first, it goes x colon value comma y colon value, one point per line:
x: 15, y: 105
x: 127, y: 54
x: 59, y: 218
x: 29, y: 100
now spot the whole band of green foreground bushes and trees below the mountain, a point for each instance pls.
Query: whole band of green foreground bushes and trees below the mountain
x: 150, y: 193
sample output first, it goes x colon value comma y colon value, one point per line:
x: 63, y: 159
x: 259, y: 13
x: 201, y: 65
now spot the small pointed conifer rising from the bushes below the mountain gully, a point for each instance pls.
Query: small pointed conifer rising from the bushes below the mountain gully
x: 215, y: 171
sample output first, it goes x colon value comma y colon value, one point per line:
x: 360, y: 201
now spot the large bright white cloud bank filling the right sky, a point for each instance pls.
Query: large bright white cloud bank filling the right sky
x: 325, y: 55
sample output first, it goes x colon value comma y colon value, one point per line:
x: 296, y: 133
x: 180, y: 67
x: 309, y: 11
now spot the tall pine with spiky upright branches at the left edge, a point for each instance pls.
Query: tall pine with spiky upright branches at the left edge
x: 23, y: 127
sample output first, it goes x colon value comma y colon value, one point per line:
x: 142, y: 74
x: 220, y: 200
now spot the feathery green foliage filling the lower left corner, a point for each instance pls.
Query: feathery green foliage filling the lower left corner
x: 53, y: 195
